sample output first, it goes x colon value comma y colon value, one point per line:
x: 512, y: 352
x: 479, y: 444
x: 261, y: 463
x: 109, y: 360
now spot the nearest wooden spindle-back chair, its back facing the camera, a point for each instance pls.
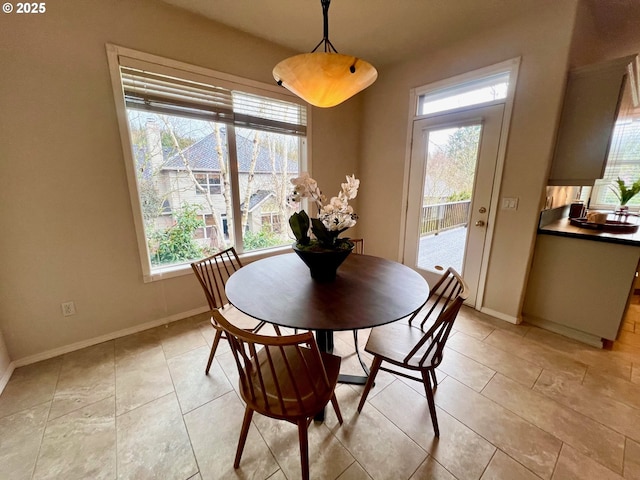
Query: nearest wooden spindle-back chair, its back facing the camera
x: 283, y: 377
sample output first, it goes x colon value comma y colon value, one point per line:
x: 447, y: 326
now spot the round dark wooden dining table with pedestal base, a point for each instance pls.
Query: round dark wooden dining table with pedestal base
x: 368, y: 291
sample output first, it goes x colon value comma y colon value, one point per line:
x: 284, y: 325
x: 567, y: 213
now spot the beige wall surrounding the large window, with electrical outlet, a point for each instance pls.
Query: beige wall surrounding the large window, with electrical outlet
x: 67, y: 224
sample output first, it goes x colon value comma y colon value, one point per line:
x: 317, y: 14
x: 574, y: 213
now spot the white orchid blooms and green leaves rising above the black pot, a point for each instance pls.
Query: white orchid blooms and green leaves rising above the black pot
x: 334, y: 217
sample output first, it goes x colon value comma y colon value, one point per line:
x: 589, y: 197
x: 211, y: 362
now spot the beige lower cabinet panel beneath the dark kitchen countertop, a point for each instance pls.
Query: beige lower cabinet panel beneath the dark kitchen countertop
x: 580, y: 288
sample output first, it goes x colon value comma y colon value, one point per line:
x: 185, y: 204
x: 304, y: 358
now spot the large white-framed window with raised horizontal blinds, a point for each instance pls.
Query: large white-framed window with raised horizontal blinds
x: 211, y: 157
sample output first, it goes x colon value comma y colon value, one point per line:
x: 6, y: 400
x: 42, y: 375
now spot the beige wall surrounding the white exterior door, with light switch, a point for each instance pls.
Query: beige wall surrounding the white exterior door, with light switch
x: 543, y: 41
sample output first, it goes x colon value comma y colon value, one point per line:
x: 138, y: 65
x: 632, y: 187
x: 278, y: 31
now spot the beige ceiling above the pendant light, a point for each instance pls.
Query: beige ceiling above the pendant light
x: 379, y: 31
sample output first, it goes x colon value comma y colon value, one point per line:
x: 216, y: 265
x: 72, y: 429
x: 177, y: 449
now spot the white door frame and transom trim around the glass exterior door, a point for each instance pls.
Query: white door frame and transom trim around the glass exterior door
x: 512, y: 66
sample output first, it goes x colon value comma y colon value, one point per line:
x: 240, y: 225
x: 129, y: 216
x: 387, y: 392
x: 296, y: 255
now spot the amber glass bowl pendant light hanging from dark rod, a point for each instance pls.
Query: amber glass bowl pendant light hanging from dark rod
x: 324, y: 78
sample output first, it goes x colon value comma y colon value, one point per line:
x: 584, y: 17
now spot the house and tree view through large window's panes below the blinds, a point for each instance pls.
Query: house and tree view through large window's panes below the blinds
x: 183, y: 172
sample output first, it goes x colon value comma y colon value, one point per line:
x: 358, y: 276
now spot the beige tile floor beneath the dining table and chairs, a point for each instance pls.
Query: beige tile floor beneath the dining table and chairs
x: 514, y: 402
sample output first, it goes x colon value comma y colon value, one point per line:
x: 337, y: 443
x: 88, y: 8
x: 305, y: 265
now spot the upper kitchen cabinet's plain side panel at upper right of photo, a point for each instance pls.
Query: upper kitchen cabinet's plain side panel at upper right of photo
x: 591, y: 104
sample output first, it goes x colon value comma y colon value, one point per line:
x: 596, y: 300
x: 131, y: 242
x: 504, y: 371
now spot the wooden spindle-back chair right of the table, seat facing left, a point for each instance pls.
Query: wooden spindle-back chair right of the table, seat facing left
x: 418, y: 348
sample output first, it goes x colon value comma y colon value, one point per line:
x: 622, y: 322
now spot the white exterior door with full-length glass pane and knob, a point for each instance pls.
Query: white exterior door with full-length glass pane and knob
x: 451, y: 177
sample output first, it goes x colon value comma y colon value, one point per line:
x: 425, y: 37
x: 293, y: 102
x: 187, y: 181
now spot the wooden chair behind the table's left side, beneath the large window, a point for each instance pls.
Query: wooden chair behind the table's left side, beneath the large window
x: 212, y: 273
